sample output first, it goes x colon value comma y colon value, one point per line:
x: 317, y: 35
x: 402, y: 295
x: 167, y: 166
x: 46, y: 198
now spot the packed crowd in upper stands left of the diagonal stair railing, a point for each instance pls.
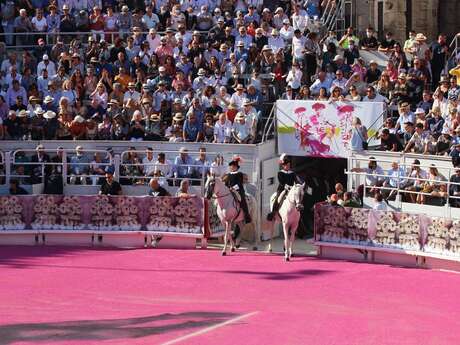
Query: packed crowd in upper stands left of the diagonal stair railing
x: 102, y: 70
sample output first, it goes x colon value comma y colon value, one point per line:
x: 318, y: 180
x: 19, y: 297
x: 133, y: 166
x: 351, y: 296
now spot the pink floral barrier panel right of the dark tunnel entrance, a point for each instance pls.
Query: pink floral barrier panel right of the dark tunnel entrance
x: 366, y: 227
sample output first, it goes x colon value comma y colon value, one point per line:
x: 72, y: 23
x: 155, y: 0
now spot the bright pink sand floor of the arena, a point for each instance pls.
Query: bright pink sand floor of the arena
x: 58, y: 295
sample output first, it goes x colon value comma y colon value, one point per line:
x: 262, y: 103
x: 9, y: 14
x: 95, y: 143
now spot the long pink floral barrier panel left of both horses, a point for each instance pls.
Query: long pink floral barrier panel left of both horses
x: 103, y: 213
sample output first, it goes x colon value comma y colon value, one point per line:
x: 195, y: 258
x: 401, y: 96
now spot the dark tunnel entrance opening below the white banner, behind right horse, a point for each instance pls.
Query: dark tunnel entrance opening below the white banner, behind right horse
x: 320, y: 175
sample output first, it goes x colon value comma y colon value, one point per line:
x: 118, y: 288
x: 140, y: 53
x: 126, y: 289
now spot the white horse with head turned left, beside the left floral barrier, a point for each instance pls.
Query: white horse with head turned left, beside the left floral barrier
x: 228, y: 210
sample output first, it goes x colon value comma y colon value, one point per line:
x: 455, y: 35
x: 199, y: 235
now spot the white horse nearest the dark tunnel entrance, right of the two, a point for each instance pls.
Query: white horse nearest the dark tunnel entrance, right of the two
x: 289, y: 215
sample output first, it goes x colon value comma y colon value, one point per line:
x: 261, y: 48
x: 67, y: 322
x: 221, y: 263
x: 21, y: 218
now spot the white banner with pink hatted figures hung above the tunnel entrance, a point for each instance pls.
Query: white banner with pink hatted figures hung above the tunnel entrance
x: 323, y: 129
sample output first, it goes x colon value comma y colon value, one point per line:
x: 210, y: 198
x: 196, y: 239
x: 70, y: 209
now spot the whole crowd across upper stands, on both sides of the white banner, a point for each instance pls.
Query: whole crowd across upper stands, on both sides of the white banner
x: 188, y: 71
